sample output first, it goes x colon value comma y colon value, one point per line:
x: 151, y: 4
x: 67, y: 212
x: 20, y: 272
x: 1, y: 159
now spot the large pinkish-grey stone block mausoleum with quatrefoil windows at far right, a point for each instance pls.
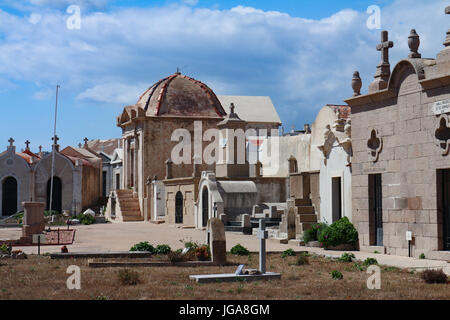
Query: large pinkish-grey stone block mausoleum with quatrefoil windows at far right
x: 401, y: 160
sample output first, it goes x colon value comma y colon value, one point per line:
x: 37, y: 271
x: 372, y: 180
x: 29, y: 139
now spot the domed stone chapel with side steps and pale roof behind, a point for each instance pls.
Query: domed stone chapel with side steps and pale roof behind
x: 150, y: 179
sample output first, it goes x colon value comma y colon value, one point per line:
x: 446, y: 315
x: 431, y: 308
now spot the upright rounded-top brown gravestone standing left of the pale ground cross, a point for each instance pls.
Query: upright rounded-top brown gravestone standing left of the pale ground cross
x: 217, y: 241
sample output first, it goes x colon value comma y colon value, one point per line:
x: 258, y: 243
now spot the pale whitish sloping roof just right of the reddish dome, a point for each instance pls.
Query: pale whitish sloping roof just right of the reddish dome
x: 259, y: 109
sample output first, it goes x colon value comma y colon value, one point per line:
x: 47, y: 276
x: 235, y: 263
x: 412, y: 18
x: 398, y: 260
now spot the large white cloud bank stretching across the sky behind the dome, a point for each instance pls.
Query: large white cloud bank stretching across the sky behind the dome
x: 301, y: 63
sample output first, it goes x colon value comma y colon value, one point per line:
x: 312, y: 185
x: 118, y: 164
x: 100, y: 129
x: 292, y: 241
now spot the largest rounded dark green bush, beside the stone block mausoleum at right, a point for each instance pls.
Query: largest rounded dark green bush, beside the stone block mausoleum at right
x: 339, y: 232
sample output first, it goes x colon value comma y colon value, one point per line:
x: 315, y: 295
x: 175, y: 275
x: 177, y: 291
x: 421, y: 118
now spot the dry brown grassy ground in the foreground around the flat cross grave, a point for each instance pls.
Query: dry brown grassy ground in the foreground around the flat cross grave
x: 39, y: 278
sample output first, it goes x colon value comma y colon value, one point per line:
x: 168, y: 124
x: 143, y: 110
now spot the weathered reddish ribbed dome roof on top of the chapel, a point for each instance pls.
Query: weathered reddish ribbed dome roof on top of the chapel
x: 179, y: 95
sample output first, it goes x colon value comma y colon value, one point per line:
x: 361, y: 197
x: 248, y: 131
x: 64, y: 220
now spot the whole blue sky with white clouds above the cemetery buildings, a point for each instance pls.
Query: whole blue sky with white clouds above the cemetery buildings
x: 301, y: 53
